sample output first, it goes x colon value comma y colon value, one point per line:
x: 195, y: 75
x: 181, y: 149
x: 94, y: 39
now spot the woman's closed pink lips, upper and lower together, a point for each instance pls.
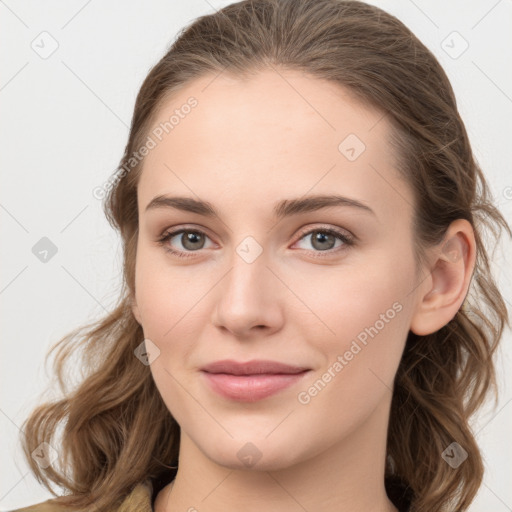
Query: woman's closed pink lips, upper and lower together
x: 251, y: 381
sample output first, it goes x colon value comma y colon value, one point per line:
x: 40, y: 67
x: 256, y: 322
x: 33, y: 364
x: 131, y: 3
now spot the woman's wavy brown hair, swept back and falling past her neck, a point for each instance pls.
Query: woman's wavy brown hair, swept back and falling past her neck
x: 442, y: 378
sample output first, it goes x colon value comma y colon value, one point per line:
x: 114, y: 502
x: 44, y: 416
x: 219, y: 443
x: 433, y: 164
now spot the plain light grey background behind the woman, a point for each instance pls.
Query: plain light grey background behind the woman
x: 65, y: 119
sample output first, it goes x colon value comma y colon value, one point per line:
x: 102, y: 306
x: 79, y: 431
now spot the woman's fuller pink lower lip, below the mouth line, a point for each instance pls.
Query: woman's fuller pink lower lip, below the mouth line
x: 250, y: 388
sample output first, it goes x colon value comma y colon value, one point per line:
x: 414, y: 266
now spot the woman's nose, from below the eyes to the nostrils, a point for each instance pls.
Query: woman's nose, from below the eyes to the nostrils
x: 249, y: 299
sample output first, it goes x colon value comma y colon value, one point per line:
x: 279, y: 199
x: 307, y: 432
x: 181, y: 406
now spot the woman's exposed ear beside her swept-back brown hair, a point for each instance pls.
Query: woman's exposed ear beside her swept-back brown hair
x: 444, y: 292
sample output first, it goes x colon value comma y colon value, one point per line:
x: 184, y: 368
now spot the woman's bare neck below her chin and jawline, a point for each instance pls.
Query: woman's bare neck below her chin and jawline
x: 345, y: 477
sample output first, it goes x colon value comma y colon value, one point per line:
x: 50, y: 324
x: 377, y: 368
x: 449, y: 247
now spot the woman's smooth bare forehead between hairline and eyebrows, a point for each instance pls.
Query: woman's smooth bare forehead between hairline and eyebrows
x: 276, y: 134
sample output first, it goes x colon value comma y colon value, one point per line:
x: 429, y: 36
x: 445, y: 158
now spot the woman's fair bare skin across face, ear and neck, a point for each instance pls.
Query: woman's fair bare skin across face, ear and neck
x: 248, y: 144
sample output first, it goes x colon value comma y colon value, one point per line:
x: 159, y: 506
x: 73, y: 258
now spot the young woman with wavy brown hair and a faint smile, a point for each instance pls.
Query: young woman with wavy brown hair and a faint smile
x: 302, y: 222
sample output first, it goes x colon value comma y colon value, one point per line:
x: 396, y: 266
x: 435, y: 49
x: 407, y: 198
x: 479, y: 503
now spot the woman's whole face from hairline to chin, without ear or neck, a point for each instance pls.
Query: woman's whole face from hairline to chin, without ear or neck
x: 257, y: 285
